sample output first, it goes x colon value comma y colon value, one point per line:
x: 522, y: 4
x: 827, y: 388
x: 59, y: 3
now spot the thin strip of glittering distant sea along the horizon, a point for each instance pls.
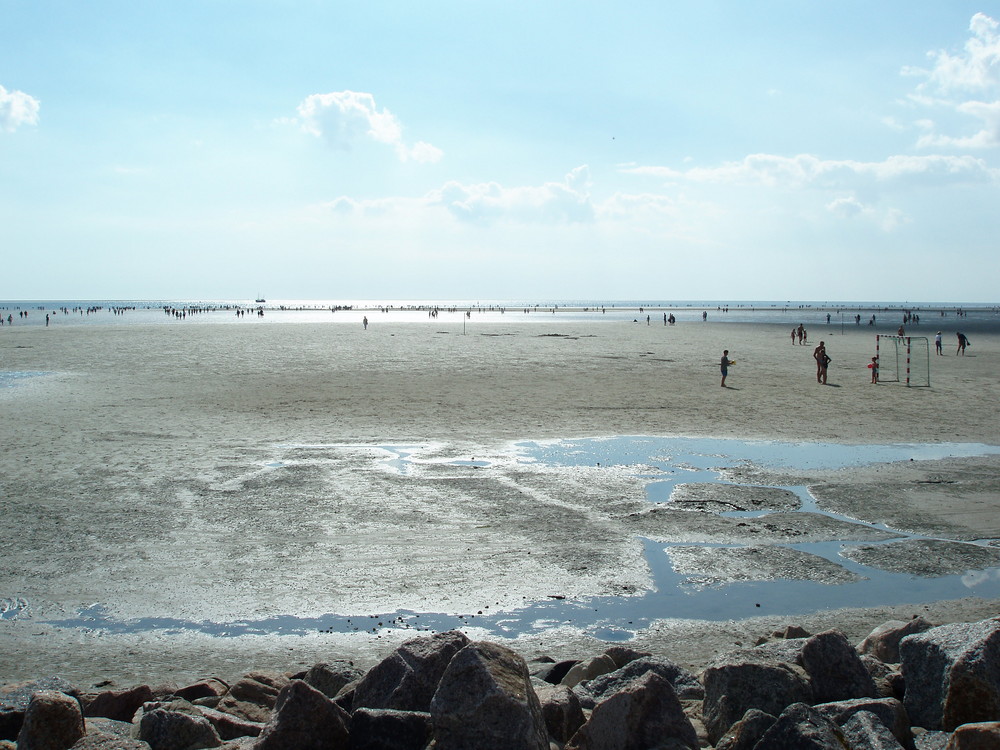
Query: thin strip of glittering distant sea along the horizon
x: 888, y: 315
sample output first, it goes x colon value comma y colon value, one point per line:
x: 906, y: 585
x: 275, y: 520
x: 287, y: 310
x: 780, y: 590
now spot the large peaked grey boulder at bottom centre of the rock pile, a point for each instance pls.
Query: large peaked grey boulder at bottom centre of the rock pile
x: 485, y: 699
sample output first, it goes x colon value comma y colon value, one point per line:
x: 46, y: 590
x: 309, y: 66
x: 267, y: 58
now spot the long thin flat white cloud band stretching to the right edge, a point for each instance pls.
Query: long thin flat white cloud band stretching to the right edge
x: 806, y: 170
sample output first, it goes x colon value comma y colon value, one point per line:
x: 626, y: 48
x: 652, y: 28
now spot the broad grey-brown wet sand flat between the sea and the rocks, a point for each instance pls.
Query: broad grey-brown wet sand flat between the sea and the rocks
x: 212, y: 473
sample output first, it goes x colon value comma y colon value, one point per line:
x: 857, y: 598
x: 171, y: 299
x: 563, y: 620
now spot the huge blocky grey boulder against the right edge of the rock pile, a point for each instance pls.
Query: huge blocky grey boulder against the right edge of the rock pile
x: 952, y: 674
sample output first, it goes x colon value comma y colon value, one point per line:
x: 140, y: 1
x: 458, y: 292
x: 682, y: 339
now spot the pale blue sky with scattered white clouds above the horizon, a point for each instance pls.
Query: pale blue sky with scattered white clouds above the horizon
x: 544, y: 150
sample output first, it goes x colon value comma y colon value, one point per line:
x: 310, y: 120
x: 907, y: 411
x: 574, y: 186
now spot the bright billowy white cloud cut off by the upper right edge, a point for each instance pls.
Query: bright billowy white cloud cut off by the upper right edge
x: 953, y: 81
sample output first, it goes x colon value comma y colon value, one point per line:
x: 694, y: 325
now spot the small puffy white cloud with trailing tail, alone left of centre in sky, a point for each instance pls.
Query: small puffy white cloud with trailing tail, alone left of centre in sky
x: 346, y: 118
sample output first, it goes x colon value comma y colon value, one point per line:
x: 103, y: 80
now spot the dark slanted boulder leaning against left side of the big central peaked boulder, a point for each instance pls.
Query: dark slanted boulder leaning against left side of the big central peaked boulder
x: 407, y: 679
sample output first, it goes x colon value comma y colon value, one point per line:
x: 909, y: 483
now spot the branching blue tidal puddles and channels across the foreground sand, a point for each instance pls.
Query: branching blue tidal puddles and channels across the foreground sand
x: 674, y: 595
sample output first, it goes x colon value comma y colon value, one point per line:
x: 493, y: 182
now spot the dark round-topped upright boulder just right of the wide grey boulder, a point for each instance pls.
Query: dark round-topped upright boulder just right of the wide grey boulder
x: 835, y: 670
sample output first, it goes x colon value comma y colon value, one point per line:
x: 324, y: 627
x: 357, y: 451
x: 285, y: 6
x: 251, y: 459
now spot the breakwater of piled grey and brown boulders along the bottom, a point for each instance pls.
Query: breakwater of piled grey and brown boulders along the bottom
x: 909, y: 684
